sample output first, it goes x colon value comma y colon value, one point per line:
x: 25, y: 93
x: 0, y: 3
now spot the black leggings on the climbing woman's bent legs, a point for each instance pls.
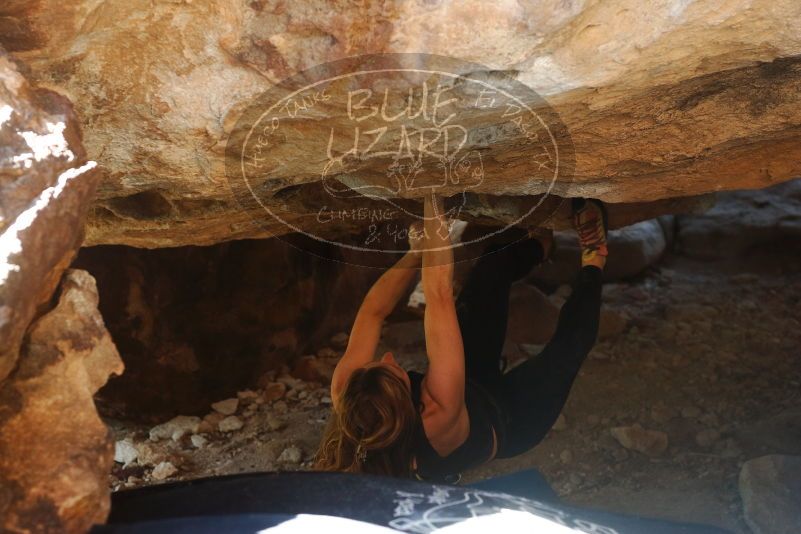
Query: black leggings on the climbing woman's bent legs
x: 532, y: 394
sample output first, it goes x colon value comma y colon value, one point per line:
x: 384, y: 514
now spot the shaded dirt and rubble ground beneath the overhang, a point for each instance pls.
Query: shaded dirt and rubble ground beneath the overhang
x: 711, y: 356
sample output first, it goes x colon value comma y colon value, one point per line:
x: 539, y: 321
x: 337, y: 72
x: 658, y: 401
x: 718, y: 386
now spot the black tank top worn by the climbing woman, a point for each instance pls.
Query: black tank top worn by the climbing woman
x: 484, y: 416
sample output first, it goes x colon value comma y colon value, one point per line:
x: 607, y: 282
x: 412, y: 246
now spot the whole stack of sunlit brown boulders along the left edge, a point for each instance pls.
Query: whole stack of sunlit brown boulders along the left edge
x: 55, y: 453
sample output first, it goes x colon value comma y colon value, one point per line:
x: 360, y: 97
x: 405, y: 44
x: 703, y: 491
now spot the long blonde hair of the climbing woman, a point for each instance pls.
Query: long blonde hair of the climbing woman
x: 372, y: 428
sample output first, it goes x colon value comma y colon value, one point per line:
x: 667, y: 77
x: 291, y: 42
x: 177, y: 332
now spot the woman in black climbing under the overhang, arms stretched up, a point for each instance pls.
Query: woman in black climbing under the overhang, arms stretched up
x: 464, y: 410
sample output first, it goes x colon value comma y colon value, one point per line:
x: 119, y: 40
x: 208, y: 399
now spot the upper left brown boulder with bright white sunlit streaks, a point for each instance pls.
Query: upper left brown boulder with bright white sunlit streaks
x: 45, y: 186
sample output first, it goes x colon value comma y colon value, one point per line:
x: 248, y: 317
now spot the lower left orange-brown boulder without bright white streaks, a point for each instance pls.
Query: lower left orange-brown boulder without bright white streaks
x: 55, y: 452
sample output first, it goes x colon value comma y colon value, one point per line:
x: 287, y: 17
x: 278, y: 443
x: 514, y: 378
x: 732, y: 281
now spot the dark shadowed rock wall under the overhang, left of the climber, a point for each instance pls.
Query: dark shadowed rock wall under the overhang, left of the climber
x: 196, y: 324
